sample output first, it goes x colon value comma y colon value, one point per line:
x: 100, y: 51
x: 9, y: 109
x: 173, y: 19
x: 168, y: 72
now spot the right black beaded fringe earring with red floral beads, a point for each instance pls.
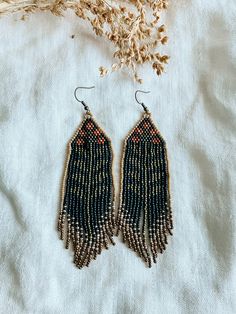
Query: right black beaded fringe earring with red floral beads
x: 144, y: 216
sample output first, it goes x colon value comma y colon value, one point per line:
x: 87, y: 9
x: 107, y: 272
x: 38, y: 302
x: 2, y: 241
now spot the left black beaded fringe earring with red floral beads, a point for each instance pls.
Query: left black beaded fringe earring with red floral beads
x: 87, y: 207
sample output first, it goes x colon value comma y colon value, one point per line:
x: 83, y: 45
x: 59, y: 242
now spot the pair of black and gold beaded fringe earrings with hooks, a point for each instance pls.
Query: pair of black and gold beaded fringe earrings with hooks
x: 87, y: 214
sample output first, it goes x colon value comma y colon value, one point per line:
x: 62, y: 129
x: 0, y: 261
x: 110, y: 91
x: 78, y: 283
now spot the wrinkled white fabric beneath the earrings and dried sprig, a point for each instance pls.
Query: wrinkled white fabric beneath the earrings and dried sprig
x: 193, y: 105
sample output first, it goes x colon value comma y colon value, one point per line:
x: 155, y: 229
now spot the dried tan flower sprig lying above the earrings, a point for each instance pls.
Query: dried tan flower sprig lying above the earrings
x: 132, y: 26
